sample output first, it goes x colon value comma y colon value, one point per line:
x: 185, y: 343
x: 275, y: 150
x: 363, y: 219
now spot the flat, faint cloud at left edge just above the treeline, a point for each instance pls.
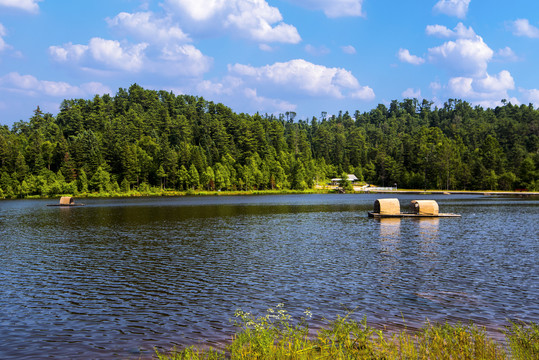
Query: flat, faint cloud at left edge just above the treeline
x: 31, y: 86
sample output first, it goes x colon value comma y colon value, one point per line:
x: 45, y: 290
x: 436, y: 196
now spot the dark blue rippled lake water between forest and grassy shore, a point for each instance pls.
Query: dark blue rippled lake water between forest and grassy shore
x: 117, y: 277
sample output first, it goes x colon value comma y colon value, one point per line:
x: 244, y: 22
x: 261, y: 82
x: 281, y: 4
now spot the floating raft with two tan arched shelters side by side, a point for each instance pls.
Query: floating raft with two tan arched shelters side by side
x: 390, y: 208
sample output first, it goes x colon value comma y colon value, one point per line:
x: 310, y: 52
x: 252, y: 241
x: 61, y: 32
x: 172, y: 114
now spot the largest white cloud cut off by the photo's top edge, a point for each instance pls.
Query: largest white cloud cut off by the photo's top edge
x: 253, y: 19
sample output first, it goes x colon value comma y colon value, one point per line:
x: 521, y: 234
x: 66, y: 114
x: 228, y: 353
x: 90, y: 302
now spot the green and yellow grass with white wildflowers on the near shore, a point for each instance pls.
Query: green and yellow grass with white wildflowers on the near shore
x: 277, y: 336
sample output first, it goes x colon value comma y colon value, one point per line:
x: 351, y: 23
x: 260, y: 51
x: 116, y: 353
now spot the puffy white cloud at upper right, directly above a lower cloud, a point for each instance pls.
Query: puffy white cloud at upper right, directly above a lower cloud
x: 468, y: 57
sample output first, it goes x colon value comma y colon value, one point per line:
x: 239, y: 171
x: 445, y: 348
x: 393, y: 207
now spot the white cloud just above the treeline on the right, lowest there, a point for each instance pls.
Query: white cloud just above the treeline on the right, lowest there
x: 486, y: 91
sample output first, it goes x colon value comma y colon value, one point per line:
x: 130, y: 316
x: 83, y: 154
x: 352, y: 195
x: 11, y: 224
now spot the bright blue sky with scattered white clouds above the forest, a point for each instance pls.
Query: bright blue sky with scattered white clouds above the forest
x: 269, y: 56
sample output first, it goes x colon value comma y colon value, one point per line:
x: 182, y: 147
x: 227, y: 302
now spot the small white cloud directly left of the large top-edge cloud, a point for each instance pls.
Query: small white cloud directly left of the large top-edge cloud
x: 145, y: 26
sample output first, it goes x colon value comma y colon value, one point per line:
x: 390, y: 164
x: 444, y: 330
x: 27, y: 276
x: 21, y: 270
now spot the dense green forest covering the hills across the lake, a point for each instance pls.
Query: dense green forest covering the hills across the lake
x: 143, y: 139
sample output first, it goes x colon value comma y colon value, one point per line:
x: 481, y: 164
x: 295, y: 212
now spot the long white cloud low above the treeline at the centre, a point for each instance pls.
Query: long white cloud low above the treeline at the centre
x: 300, y: 76
